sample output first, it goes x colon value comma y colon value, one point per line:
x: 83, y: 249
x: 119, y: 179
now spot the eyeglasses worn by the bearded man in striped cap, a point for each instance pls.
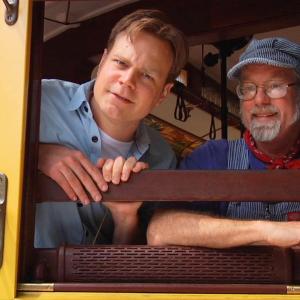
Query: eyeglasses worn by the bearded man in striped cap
x: 247, y: 91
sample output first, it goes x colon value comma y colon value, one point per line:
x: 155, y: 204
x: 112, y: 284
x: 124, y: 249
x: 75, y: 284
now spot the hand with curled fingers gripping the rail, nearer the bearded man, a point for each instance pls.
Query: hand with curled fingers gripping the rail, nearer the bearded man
x: 119, y: 169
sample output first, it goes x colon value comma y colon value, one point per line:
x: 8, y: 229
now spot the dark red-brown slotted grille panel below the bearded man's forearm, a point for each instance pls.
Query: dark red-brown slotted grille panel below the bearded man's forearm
x: 173, y: 264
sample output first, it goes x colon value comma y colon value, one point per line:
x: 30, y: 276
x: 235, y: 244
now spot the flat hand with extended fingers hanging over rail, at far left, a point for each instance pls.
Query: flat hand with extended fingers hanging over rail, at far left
x: 73, y: 171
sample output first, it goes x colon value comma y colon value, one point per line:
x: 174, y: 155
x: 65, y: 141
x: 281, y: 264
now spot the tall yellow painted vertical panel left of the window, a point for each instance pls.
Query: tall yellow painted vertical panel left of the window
x: 14, y: 66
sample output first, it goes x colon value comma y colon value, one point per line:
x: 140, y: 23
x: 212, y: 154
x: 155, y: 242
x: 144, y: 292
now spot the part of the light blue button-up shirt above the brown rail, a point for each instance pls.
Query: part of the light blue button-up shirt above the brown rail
x: 67, y: 119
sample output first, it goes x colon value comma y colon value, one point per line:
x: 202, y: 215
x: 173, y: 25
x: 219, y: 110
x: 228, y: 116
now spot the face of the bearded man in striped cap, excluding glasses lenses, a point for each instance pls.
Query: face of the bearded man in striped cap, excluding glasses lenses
x: 268, y: 118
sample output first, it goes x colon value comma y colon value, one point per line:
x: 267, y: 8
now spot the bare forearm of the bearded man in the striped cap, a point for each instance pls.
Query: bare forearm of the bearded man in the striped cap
x: 188, y: 228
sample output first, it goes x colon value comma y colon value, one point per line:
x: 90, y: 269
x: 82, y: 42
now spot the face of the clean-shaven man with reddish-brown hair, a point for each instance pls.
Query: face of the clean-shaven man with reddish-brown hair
x: 131, y: 79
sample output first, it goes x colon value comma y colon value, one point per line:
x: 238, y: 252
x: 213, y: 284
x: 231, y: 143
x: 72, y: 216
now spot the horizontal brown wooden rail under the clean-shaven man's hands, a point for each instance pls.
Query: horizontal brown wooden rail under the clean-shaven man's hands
x: 166, y: 185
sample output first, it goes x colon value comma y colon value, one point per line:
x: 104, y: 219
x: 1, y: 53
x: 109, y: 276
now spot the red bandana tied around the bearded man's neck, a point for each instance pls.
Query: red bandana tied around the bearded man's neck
x: 285, y: 162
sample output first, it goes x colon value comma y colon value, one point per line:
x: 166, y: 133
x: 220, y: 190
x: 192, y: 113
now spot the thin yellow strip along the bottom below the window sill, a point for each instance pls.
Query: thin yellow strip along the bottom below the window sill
x: 134, y: 296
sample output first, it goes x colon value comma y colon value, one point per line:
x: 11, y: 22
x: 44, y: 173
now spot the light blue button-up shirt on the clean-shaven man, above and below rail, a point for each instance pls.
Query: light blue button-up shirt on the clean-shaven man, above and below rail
x: 67, y: 119
